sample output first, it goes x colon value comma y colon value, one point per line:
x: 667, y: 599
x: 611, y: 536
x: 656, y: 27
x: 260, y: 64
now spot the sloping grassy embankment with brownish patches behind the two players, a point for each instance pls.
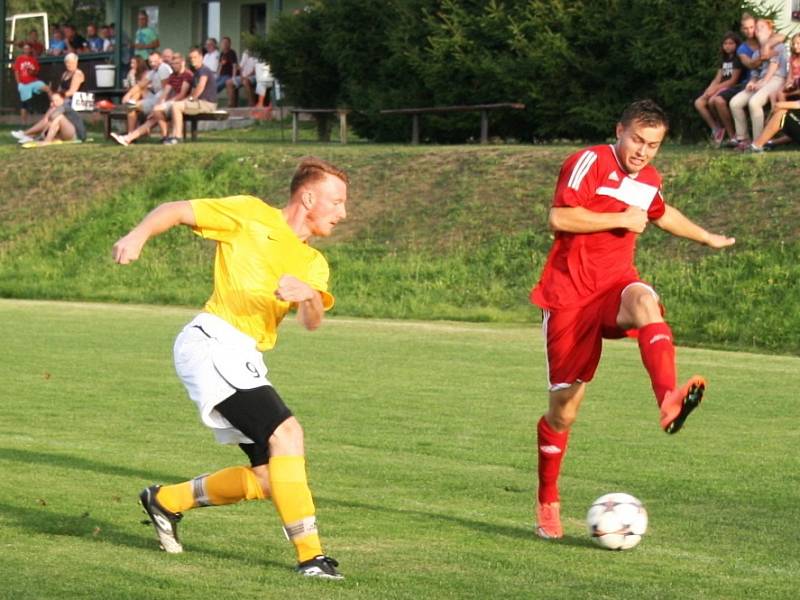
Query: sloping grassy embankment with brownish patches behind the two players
x: 433, y: 232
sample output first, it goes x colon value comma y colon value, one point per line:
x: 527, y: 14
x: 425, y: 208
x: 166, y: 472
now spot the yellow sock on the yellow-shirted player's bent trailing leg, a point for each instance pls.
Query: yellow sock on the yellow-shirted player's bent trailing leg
x: 227, y: 486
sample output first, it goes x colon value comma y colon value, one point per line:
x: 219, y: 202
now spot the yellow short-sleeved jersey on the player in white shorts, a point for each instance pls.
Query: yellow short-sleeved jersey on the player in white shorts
x: 255, y: 248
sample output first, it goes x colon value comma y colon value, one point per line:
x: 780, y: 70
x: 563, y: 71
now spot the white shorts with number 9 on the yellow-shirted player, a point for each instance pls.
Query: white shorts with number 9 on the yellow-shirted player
x: 213, y: 359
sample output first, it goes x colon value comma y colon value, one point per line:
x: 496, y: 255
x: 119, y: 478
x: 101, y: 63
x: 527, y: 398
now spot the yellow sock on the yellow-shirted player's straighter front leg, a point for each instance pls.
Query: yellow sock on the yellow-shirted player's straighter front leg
x: 292, y: 498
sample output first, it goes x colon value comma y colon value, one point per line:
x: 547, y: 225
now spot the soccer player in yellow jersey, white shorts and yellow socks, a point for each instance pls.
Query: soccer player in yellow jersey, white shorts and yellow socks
x: 263, y: 268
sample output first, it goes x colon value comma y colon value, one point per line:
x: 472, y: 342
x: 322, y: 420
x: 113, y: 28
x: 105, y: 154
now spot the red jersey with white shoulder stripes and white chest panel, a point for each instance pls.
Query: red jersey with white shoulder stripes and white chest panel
x: 581, y: 266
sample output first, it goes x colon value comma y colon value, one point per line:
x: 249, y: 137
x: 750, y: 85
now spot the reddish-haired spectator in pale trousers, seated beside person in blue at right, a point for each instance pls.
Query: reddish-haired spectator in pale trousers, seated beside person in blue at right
x: 768, y: 80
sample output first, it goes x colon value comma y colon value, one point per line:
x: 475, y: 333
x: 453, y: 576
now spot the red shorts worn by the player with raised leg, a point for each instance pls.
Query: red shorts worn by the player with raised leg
x: 574, y: 336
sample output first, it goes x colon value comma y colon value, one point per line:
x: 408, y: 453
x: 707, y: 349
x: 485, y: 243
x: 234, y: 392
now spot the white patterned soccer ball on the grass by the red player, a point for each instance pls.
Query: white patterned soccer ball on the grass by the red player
x: 617, y: 521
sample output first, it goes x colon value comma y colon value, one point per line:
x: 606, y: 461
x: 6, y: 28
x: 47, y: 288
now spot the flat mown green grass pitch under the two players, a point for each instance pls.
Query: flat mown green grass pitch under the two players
x: 420, y: 439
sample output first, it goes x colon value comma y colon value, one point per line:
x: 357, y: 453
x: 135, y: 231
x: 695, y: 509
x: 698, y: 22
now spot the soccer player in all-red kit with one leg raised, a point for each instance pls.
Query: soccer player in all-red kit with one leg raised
x: 590, y: 289
